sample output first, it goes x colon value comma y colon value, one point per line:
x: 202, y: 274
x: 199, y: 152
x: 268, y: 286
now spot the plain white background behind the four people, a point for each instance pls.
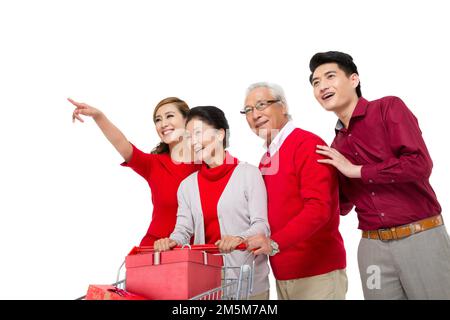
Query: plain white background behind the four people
x: 70, y: 213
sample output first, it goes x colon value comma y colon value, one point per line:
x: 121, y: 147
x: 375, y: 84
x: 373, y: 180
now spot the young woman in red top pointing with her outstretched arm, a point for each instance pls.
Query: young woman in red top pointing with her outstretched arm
x: 163, y: 169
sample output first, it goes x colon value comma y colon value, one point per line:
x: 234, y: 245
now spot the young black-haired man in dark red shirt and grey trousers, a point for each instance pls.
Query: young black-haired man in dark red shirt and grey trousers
x: 384, y: 170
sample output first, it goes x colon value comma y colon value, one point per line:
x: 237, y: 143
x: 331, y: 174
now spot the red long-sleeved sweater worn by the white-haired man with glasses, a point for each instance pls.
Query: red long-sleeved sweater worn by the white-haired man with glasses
x: 303, y: 209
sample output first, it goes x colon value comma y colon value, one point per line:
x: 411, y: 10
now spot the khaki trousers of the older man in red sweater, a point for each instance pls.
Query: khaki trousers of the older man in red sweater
x: 328, y: 286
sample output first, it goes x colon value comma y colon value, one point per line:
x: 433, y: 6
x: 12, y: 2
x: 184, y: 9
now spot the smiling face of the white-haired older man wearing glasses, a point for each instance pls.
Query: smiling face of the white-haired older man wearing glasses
x: 272, y: 118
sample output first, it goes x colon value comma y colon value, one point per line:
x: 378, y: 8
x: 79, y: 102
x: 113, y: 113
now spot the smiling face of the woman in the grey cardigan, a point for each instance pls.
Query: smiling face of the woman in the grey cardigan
x: 206, y: 141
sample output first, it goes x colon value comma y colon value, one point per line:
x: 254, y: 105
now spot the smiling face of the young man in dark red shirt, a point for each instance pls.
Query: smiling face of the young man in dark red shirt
x: 333, y: 89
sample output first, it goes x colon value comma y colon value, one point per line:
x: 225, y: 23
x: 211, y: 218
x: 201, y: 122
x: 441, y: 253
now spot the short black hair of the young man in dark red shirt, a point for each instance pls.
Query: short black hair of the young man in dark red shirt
x: 343, y: 60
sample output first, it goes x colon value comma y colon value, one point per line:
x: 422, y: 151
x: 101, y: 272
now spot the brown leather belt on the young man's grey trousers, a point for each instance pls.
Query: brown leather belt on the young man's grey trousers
x: 400, y: 232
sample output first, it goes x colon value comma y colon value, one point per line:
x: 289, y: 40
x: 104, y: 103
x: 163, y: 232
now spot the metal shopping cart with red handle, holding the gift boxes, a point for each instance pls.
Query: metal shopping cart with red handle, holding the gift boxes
x: 237, y: 281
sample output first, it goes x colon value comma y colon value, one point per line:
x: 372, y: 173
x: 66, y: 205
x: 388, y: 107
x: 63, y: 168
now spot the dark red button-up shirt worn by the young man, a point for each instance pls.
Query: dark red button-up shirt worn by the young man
x: 384, y: 137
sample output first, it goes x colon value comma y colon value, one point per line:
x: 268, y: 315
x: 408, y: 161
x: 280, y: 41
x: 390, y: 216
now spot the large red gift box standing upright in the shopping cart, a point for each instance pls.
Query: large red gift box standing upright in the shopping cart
x: 176, y: 274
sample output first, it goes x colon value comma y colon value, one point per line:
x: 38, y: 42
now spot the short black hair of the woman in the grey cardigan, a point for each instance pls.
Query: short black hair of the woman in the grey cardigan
x: 212, y: 116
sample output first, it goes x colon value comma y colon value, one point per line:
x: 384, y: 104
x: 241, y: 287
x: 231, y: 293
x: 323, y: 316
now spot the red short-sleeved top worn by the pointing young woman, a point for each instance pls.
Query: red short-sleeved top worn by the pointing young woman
x: 163, y: 176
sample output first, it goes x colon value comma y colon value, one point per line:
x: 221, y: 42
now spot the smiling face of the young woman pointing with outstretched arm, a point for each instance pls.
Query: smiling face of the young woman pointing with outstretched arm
x: 169, y: 123
